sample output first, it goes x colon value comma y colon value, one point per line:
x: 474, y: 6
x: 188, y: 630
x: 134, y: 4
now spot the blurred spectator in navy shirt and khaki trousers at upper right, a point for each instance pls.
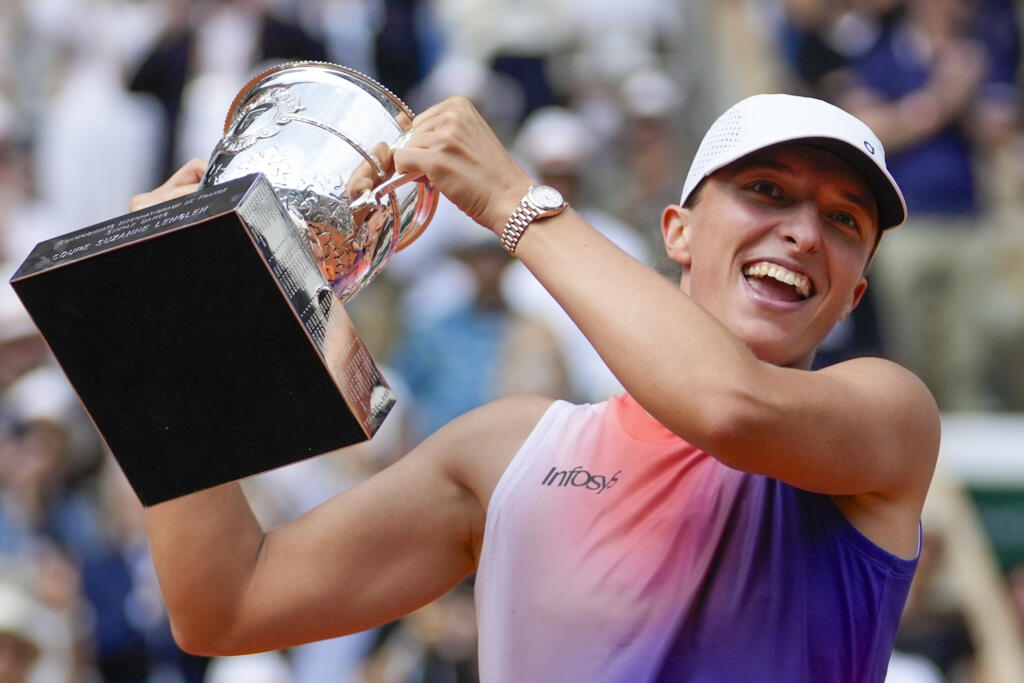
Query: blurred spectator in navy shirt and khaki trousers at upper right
x: 940, y: 90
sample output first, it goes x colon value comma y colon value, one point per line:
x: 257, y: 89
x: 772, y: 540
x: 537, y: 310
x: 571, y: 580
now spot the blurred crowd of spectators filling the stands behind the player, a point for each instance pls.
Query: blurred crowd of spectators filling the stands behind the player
x: 101, y: 100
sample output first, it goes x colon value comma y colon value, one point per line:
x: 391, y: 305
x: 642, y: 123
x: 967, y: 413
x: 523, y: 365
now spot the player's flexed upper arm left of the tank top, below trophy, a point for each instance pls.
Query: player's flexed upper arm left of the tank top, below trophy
x: 370, y: 556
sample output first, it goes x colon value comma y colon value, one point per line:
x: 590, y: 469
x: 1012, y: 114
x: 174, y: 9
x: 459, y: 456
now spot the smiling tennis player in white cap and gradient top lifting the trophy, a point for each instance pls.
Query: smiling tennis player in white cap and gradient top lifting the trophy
x: 734, y: 517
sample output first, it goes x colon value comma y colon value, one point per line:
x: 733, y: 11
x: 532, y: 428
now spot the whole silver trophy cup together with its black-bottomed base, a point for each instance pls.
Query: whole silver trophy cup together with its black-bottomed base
x: 206, y: 335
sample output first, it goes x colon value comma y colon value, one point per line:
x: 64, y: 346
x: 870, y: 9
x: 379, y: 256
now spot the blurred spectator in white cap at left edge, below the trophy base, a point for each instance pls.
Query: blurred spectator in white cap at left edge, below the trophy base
x: 49, y: 522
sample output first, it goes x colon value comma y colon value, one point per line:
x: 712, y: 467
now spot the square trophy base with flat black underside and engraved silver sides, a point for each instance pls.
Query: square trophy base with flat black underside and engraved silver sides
x: 196, y: 337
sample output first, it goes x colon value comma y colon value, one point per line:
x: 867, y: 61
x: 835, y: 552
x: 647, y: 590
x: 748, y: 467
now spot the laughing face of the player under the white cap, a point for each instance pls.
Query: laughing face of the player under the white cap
x: 776, y: 248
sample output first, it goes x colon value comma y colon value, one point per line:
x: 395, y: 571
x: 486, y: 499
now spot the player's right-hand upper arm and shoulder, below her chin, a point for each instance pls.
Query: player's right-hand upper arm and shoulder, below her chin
x: 859, y: 428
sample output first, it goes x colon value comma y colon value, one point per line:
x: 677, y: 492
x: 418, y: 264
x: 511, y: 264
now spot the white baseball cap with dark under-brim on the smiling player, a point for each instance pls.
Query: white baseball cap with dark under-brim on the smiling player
x: 762, y: 121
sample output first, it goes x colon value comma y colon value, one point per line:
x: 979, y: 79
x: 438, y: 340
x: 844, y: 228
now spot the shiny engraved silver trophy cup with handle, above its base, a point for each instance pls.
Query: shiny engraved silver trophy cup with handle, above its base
x: 324, y: 136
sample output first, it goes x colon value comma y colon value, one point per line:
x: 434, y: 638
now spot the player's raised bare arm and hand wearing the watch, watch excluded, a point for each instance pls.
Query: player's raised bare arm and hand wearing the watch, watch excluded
x: 864, y: 428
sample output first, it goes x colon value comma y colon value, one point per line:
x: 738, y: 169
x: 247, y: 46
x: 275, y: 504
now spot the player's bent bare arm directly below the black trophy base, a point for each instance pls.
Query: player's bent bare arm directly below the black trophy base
x: 368, y: 557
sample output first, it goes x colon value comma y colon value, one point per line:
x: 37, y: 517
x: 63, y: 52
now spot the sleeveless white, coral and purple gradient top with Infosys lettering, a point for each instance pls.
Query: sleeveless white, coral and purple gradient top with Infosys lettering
x: 617, y: 552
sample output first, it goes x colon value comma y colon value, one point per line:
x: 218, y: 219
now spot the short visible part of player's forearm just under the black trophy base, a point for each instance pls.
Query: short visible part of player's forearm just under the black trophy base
x: 205, y: 548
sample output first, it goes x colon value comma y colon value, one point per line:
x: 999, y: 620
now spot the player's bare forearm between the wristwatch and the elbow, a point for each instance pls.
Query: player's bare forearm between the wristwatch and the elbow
x: 681, y: 364
